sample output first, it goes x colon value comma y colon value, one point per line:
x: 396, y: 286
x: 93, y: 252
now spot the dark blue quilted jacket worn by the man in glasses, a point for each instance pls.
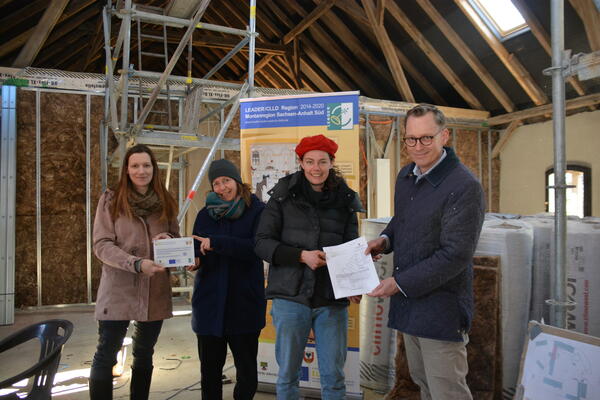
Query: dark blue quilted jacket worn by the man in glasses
x: 434, y: 233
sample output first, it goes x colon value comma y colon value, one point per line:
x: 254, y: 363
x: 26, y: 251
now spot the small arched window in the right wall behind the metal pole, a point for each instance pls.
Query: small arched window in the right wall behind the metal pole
x: 579, y: 197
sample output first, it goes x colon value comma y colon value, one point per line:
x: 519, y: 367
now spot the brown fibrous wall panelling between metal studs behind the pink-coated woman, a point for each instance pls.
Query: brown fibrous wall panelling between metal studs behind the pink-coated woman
x: 63, y: 206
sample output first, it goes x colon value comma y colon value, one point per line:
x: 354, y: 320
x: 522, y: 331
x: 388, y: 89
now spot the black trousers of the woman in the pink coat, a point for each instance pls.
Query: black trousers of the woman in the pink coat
x: 110, y: 340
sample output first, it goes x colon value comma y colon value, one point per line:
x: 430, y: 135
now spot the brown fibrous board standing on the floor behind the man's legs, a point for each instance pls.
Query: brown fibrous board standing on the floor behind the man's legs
x: 483, y: 350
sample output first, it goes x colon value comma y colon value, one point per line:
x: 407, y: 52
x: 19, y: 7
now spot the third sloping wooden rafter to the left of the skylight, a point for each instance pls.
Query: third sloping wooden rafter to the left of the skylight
x: 434, y: 56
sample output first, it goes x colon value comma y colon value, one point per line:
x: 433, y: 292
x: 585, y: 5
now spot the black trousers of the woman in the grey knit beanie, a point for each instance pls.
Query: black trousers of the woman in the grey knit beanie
x: 213, y: 351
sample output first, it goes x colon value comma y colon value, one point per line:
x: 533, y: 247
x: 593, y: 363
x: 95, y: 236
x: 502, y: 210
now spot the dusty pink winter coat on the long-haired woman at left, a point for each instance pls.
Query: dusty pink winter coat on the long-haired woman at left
x: 124, y: 294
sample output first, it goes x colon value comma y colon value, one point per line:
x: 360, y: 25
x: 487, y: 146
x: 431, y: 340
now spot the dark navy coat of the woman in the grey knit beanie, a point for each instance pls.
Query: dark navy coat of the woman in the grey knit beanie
x: 229, y: 290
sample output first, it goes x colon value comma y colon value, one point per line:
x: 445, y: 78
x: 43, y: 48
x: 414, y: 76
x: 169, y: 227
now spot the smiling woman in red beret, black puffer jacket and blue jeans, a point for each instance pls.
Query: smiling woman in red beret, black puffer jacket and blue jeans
x: 308, y: 210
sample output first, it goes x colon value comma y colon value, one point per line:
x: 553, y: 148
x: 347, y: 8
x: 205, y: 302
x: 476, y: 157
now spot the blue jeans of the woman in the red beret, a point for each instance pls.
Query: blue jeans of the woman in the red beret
x: 293, y: 322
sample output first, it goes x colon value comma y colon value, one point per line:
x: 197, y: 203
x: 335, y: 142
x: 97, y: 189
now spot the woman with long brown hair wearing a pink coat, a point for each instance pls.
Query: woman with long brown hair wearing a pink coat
x: 132, y: 286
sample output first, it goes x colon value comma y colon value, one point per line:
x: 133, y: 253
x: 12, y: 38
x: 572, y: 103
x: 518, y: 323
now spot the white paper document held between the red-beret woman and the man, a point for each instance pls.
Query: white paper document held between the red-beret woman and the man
x: 352, y: 272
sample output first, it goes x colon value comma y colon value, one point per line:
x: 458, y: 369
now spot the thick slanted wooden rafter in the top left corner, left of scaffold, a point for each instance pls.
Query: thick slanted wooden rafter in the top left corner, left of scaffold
x: 40, y: 33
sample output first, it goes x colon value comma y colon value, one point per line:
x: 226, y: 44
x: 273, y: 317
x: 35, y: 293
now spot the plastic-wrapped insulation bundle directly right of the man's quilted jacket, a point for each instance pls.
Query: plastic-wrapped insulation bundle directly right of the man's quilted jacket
x: 513, y: 241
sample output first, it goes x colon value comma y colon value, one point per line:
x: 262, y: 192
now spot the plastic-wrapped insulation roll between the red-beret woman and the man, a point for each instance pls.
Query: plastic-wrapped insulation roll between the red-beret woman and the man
x: 375, y: 336
